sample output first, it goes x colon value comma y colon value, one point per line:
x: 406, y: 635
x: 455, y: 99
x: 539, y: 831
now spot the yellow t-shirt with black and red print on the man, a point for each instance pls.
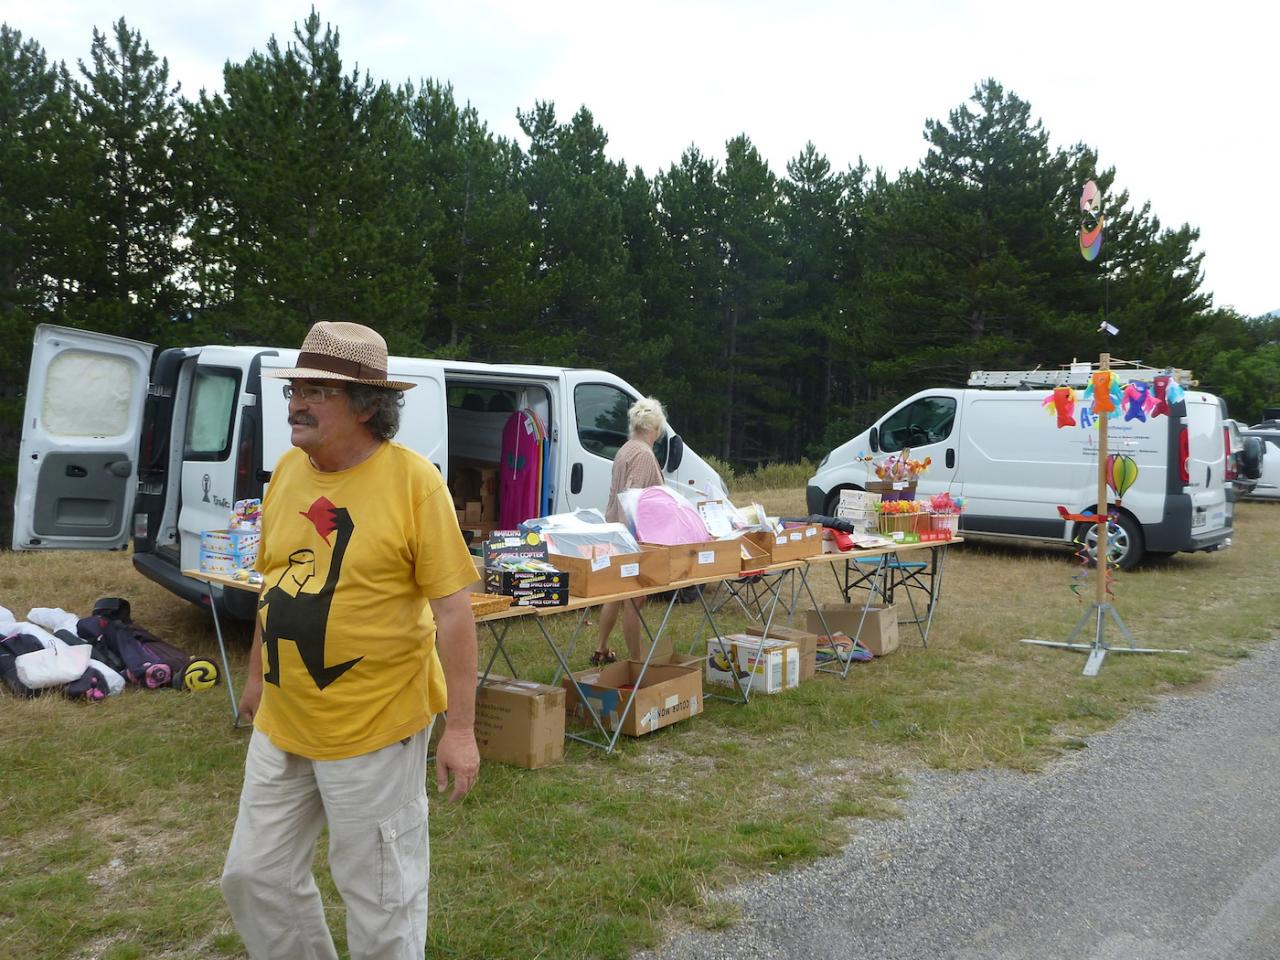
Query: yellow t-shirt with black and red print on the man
x: 349, y: 563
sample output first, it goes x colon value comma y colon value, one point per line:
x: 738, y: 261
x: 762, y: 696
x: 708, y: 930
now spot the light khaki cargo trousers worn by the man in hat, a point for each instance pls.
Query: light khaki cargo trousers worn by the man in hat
x: 380, y: 857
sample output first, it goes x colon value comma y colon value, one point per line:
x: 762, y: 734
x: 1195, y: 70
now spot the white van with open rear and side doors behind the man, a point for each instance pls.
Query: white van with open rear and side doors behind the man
x: 109, y: 451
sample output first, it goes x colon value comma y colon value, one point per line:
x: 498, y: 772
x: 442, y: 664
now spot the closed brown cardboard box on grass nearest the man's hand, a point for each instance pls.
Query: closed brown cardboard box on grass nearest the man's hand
x: 520, y: 723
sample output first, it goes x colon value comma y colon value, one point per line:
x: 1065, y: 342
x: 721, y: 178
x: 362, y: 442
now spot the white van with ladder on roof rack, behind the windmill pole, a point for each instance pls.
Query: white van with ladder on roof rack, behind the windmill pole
x: 1003, y: 452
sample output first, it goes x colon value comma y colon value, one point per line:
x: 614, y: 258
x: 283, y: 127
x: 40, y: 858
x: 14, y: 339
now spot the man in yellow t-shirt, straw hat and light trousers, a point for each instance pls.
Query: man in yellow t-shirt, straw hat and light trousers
x: 364, y: 636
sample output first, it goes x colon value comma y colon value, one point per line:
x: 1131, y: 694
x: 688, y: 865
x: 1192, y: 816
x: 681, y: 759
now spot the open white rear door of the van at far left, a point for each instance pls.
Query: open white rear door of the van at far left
x: 79, y: 463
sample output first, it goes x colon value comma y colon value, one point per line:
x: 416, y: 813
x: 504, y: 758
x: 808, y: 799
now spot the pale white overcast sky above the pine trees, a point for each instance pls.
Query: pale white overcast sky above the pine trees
x: 1181, y: 98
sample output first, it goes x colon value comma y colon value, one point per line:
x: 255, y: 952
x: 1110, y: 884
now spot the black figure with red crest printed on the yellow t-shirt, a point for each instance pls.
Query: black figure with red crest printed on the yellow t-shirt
x: 298, y: 611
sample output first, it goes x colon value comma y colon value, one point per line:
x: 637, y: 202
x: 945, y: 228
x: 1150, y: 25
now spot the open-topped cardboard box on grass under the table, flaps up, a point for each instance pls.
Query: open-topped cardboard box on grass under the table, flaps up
x: 668, y: 696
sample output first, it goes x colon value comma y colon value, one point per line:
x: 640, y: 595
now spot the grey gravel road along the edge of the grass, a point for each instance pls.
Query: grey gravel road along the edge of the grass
x: 1159, y: 842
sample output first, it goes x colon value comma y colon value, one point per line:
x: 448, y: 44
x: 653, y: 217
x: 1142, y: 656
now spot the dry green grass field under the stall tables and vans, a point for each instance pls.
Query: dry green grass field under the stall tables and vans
x: 117, y: 816
